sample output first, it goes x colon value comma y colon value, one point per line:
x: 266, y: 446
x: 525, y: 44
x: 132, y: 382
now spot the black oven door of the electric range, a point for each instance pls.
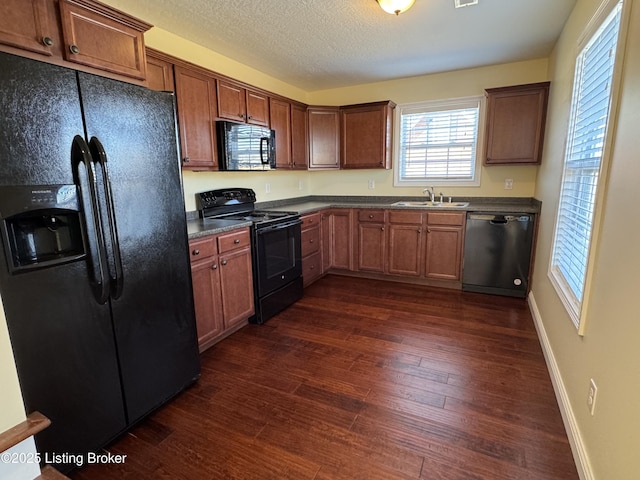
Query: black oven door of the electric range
x: 278, y: 259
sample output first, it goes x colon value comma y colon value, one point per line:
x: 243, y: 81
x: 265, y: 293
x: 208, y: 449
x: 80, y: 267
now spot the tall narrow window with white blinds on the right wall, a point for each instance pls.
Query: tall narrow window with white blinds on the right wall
x: 583, y: 163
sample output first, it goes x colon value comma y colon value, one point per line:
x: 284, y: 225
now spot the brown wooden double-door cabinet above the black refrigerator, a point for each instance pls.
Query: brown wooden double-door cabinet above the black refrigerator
x: 75, y: 32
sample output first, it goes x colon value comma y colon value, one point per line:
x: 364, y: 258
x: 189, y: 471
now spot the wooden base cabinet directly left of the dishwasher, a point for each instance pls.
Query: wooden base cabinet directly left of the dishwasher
x: 445, y: 234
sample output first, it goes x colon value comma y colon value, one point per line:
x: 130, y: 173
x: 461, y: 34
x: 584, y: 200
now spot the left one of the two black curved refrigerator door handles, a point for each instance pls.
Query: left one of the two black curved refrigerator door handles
x: 85, y: 180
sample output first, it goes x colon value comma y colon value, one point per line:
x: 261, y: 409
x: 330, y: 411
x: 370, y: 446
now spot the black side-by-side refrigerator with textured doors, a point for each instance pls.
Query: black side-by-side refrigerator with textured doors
x: 94, y: 272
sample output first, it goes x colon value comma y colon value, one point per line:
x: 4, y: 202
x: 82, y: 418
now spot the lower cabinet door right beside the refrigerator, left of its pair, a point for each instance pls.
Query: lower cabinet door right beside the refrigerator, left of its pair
x: 207, y: 300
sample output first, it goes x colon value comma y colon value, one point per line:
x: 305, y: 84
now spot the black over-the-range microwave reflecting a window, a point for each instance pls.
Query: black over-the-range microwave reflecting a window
x: 245, y: 147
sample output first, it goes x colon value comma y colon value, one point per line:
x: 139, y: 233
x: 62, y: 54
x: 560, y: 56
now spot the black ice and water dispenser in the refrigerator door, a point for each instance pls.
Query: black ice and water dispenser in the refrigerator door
x: 41, y: 226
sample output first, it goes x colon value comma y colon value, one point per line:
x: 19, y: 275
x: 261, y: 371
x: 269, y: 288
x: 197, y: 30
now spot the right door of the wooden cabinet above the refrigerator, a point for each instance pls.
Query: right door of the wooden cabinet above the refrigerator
x: 100, y: 38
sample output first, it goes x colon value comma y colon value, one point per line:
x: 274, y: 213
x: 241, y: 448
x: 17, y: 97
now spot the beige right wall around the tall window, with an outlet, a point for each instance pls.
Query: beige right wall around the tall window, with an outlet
x: 609, y: 351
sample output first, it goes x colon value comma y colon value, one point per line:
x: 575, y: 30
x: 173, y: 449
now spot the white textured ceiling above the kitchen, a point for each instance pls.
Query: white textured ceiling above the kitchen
x: 320, y: 44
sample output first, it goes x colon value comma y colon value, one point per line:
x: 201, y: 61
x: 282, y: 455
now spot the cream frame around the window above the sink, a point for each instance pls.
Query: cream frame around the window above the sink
x: 436, y: 106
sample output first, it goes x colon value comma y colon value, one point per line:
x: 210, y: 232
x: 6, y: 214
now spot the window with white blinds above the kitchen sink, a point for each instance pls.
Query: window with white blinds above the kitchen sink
x: 438, y: 142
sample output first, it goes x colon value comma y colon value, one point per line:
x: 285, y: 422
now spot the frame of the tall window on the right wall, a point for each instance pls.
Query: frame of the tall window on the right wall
x: 577, y: 309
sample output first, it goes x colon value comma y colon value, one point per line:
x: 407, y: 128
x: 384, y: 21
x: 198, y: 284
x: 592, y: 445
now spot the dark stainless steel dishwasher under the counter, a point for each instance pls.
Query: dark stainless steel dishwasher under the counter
x: 497, y: 253
